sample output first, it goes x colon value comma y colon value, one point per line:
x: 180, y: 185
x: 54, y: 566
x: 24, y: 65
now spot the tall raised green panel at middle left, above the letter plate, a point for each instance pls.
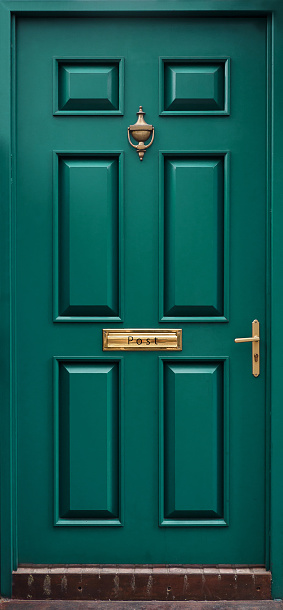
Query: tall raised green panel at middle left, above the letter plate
x: 87, y: 232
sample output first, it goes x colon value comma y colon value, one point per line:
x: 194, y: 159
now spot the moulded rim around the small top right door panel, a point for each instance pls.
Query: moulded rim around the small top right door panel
x: 227, y: 65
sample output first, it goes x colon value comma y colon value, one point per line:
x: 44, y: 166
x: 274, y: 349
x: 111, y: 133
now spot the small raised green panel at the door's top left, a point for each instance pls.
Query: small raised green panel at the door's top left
x: 88, y: 86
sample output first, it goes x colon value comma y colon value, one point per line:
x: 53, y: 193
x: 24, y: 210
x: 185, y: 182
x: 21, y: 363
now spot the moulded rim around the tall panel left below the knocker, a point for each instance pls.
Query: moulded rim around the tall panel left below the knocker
x: 55, y: 210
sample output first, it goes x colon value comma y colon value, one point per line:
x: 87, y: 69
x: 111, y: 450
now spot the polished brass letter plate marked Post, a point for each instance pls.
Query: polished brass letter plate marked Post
x: 141, y: 339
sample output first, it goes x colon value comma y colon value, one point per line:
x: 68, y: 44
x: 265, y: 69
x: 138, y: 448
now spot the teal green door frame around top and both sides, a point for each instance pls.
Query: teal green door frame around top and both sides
x: 9, y: 9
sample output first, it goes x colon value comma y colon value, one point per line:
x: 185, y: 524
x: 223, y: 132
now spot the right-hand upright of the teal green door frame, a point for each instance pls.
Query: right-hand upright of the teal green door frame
x: 276, y: 186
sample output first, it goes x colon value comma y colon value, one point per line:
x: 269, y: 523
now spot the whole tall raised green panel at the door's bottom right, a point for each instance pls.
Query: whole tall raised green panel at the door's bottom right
x: 193, y: 443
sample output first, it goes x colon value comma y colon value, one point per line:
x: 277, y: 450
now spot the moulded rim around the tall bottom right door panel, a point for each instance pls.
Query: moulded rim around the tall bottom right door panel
x: 226, y: 455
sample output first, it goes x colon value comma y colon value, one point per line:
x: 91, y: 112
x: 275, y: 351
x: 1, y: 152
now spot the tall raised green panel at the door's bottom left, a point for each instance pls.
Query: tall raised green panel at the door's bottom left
x: 87, y: 443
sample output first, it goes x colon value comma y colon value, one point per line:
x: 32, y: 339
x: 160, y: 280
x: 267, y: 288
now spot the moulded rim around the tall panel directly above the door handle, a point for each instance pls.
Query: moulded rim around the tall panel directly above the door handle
x: 226, y: 237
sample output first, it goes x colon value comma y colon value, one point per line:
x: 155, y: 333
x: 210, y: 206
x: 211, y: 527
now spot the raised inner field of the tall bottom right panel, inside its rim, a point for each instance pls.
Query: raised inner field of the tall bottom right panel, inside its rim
x: 198, y: 428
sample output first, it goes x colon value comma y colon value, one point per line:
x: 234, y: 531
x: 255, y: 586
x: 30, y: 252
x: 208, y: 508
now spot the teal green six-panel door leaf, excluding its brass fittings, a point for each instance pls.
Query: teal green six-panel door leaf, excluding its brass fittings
x: 150, y: 457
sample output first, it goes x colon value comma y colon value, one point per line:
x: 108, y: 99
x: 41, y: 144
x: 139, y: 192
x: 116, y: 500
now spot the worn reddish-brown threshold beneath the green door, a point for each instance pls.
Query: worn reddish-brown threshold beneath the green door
x: 142, y: 582
